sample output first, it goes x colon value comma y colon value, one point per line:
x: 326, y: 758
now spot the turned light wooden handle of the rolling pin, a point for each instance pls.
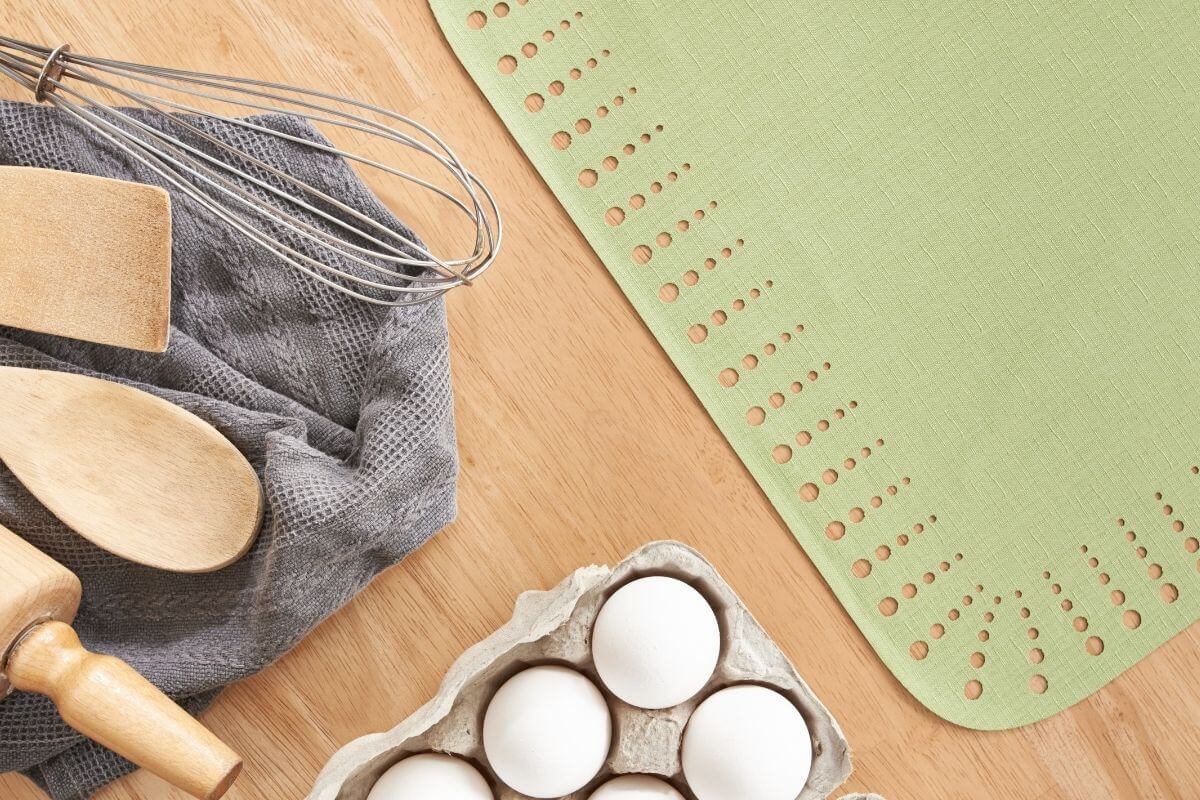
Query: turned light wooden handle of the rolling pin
x: 107, y: 701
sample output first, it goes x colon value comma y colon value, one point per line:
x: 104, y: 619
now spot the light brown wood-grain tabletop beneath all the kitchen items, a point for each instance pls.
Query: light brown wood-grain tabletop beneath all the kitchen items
x: 579, y: 443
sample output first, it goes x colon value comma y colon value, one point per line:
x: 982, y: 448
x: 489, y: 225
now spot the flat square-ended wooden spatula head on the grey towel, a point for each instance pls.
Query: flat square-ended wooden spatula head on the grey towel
x: 87, y: 258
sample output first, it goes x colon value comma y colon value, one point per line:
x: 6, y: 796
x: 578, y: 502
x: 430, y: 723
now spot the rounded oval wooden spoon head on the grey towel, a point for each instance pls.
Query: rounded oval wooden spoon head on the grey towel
x: 134, y: 474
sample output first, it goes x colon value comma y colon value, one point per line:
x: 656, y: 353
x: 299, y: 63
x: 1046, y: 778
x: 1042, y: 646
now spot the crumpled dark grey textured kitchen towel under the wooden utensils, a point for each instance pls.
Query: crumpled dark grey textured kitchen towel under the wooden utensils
x: 344, y: 408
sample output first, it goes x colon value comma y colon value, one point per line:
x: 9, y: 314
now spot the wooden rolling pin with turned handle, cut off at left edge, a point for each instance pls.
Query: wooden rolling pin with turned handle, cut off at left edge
x: 99, y: 696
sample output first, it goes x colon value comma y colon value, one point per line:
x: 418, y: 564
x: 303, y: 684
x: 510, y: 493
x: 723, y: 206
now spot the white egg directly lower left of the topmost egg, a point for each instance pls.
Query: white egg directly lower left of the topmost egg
x: 548, y: 732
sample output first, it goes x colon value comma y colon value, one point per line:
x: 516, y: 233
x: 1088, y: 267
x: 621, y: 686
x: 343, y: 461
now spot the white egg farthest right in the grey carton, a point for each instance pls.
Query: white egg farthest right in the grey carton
x: 747, y: 742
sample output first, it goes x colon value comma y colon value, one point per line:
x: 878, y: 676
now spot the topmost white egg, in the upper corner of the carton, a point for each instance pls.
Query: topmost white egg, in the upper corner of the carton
x: 656, y: 642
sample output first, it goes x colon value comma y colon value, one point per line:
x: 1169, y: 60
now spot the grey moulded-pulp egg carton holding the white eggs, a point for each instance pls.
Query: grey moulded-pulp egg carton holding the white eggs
x: 555, y: 628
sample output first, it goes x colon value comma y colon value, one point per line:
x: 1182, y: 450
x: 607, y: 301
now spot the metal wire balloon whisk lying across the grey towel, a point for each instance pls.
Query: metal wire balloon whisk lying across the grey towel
x: 343, y: 248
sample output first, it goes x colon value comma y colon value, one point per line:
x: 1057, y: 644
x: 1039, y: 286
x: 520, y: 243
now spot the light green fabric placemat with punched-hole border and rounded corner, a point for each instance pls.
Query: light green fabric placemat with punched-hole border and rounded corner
x: 933, y: 270
